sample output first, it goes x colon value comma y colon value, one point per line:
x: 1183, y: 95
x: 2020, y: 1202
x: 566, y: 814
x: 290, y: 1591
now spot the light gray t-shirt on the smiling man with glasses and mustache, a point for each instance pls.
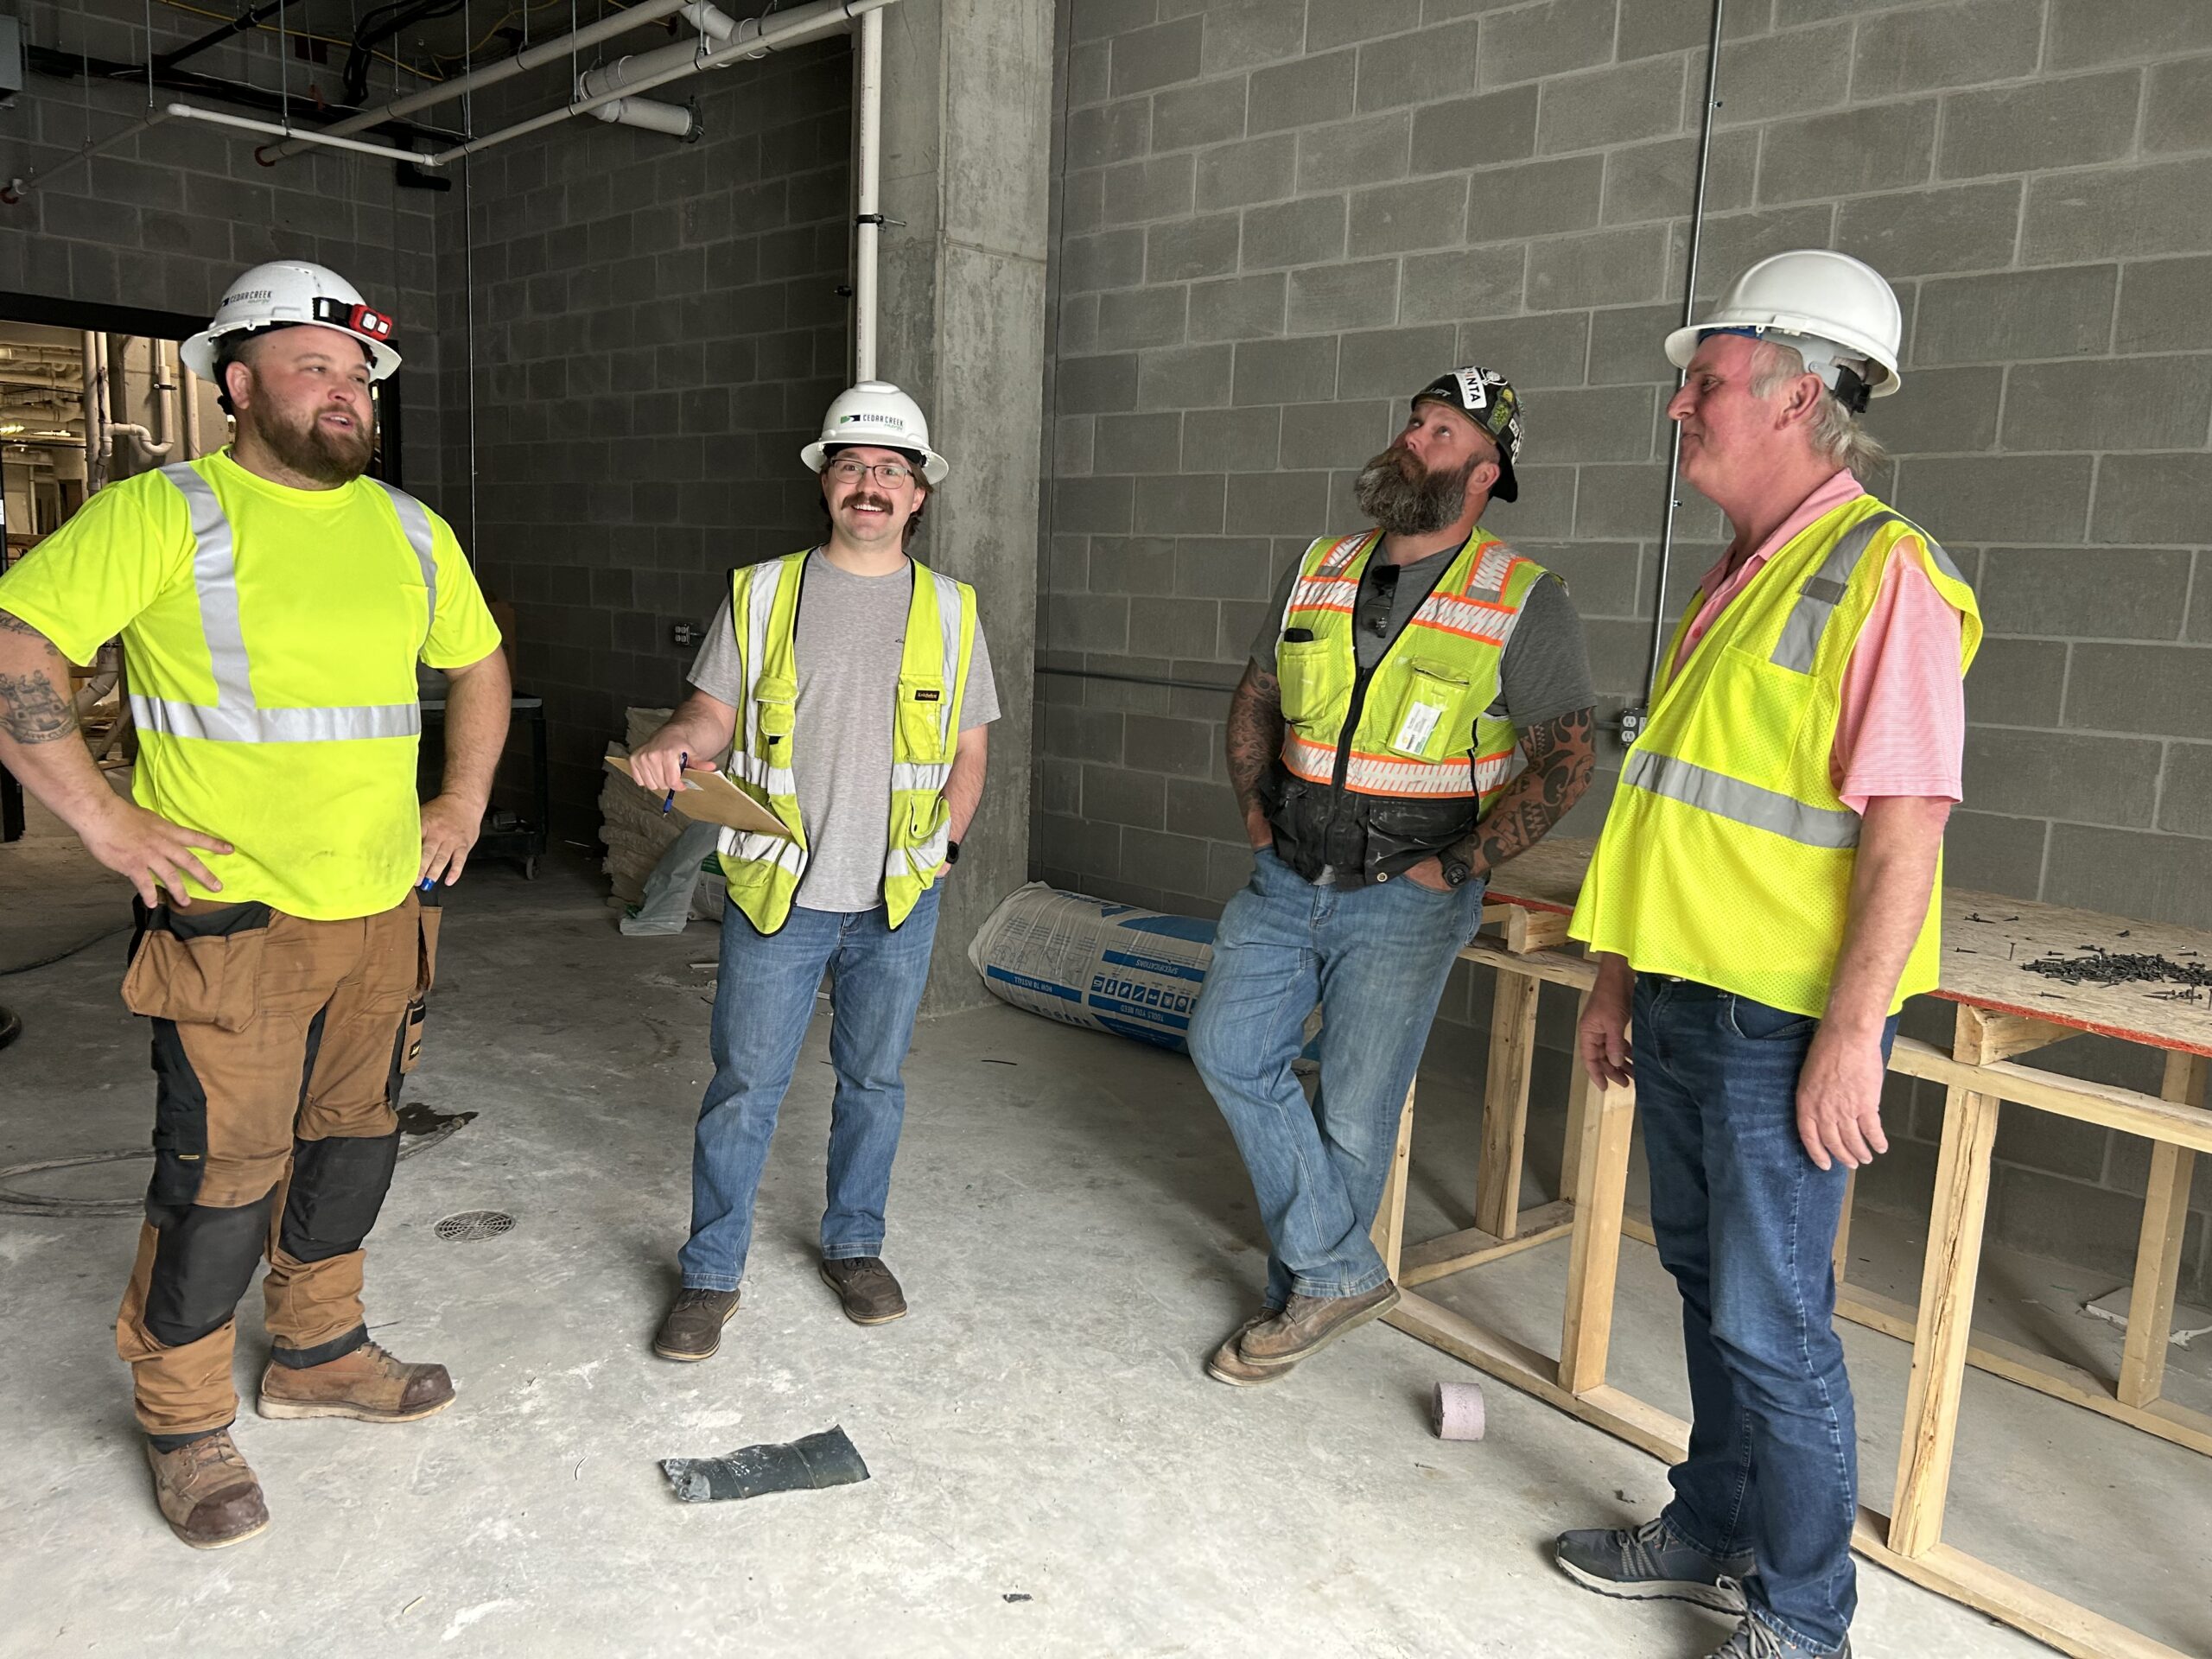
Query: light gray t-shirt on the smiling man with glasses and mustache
x: 851, y: 638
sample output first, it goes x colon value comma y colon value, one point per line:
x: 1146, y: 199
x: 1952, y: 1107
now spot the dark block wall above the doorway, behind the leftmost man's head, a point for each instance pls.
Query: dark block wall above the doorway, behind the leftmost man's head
x: 169, y: 218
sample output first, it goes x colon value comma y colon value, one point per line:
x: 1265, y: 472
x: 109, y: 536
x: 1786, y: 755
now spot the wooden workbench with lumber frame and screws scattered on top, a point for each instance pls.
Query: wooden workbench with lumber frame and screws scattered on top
x: 2003, y: 1012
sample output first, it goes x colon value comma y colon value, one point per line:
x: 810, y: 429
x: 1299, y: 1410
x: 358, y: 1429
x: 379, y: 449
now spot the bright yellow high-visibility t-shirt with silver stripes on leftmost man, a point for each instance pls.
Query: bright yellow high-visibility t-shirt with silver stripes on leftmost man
x: 271, y: 640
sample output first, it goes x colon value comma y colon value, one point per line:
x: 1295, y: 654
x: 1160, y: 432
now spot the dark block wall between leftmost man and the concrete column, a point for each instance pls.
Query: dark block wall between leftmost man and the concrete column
x: 656, y: 333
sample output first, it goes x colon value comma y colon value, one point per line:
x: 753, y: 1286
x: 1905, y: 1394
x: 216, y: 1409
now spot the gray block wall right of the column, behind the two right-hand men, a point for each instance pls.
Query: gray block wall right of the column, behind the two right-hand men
x: 1280, y: 218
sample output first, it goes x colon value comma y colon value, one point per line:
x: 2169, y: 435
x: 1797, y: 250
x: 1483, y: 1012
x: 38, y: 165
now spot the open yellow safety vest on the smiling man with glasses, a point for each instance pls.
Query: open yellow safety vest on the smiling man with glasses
x: 926, y: 727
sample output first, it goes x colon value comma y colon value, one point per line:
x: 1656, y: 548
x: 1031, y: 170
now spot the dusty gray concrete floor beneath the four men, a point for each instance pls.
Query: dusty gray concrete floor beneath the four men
x: 1052, y: 1470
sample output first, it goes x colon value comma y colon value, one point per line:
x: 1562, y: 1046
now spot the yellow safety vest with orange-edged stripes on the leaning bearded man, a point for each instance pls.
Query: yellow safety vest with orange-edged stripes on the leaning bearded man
x: 1432, y: 722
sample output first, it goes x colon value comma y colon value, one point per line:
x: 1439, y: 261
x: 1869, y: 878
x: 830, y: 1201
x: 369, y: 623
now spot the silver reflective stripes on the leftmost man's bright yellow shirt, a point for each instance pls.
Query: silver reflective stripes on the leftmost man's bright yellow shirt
x: 236, y: 718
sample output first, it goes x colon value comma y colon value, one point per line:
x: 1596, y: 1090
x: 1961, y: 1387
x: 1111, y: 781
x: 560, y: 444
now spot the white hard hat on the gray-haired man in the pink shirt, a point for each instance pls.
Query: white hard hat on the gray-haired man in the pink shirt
x: 1826, y: 304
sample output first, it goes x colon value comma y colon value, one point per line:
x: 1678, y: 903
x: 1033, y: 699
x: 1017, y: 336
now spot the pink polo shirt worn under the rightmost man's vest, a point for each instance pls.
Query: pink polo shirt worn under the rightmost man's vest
x: 1903, y: 720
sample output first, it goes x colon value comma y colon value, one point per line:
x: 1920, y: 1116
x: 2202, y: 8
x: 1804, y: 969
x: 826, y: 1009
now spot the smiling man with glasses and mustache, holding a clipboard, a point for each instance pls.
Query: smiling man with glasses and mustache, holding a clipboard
x: 857, y: 691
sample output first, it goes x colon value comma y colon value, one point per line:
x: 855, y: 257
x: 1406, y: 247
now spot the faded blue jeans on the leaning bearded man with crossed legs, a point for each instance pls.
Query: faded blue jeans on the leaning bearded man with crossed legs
x: 1375, y: 959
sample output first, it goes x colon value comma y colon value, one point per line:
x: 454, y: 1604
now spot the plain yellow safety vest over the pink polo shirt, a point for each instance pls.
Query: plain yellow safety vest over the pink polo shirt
x: 1729, y: 855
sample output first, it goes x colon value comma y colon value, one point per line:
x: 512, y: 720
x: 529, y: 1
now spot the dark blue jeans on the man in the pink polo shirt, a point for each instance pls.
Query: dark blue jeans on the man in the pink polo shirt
x: 1746, y: 1224
